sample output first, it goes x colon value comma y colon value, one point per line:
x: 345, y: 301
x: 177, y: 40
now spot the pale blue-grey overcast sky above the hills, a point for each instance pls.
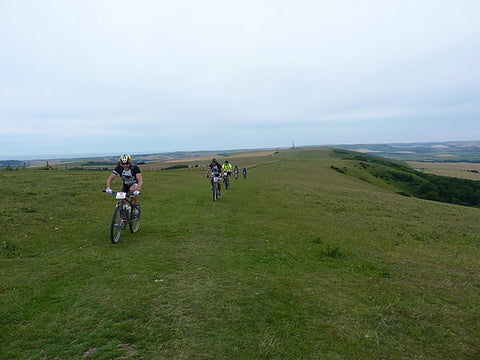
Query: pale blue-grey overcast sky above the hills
x: 108, y: 77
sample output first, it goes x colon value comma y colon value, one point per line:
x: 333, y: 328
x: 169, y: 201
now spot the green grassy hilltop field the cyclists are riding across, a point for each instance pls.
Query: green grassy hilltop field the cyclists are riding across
x: 298, y: 261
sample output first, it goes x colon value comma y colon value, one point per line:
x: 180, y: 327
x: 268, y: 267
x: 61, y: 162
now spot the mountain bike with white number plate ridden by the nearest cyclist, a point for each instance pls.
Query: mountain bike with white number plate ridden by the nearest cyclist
x: 125, y: 213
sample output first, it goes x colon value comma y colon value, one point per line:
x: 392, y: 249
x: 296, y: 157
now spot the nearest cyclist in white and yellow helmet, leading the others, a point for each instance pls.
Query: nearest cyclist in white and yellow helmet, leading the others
x: 131, y: 176
